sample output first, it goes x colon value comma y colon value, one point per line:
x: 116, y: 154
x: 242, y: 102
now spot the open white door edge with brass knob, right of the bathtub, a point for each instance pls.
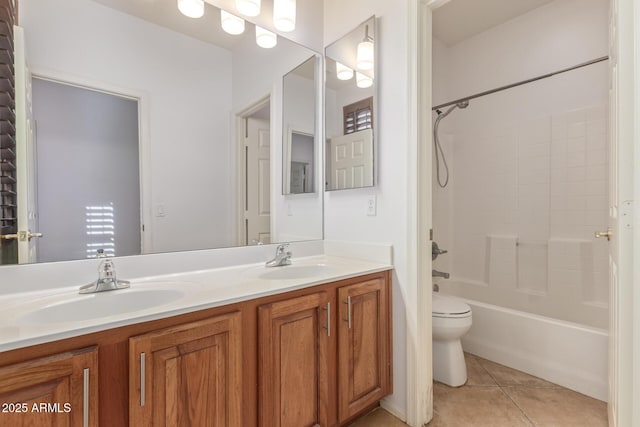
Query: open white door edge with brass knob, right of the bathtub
x: 623, y: 357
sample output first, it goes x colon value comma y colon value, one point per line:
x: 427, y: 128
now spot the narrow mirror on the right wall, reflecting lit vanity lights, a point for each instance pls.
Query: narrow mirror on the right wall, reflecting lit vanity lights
x: 350, y: 109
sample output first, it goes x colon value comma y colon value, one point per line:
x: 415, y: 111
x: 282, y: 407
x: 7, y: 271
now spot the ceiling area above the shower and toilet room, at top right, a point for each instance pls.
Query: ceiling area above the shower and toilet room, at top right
x: 458, y: 20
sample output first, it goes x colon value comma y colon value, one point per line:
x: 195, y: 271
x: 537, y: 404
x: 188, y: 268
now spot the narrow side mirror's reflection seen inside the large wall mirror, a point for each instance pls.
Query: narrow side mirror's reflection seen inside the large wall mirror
x: 298, y: 131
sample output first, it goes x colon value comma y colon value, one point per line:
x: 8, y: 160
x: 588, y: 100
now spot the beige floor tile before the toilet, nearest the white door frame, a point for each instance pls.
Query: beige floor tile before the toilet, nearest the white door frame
x: 474, y: 406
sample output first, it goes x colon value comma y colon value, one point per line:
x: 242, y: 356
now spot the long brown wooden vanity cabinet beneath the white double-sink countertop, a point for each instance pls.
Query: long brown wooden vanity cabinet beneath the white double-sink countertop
x: 316, y: 356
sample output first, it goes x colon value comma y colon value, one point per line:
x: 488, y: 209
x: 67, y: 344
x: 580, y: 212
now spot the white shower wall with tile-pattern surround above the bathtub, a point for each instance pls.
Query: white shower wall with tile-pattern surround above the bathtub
x: 528, y: 165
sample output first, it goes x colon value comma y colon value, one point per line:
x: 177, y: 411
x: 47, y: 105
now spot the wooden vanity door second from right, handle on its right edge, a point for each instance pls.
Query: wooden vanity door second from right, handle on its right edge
x: 292, y: 352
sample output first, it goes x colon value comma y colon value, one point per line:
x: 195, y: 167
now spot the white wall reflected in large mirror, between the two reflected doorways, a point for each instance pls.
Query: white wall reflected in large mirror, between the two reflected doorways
x: 184, y: 83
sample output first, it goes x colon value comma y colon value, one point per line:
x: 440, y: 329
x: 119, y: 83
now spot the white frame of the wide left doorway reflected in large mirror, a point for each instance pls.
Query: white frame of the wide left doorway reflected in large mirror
x: 144, y: 152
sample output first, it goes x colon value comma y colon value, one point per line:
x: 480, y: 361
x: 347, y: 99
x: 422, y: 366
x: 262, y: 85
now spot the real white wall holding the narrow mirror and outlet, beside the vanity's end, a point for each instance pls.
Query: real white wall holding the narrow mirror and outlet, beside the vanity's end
x: 345, y: 211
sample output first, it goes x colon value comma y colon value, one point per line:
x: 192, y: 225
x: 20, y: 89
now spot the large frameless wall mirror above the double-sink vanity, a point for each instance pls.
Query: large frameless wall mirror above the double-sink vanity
x: 155, y: 132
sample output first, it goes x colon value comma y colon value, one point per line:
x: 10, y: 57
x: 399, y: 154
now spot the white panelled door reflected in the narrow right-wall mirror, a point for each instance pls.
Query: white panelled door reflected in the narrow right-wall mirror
x: 351, y: 160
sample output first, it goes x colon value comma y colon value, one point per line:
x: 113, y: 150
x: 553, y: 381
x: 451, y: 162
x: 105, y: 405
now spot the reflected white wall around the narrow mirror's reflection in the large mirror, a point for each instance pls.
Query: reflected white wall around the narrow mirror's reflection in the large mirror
x: 298, y: 216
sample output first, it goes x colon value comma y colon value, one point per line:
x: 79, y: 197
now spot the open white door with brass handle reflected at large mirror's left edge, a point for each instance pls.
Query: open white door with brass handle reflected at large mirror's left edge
x: 25, y: 156
